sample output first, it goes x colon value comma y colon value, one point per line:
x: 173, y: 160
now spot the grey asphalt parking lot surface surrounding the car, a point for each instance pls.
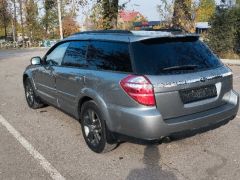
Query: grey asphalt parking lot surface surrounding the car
x: 57, y: 137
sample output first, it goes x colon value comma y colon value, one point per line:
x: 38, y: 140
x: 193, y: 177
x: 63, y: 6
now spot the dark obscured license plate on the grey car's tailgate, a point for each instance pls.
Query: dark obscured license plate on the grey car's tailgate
x: 197, y: 94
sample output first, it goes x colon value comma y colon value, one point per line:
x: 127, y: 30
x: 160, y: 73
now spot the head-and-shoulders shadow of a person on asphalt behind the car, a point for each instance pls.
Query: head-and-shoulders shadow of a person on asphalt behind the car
x: 152, y: 168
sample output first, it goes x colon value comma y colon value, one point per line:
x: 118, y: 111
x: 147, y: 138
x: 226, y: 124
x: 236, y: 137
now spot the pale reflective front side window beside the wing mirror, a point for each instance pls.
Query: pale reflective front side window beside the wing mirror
x: 55, y: 57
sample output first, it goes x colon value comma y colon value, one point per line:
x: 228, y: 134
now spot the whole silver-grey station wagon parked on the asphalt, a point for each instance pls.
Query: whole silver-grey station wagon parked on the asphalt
x: 145, y: 85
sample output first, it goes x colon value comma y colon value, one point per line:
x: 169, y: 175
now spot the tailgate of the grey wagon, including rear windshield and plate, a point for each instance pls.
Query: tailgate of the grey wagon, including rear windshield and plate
x: 186, y: 76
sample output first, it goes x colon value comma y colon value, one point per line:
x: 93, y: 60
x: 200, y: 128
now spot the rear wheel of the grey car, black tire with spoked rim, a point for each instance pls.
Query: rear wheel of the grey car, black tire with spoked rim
x: 95, y: 132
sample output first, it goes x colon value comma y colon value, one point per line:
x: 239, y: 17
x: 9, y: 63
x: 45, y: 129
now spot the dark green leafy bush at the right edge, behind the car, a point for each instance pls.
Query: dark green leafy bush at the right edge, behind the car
x: 224, y: 36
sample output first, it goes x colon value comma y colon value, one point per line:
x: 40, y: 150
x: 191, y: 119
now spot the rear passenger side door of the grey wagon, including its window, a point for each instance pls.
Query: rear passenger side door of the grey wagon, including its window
x: 70, y: 77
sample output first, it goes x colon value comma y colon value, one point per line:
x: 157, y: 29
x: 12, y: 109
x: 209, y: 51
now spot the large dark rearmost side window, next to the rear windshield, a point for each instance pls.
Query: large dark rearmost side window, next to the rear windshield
x: 112, y: 56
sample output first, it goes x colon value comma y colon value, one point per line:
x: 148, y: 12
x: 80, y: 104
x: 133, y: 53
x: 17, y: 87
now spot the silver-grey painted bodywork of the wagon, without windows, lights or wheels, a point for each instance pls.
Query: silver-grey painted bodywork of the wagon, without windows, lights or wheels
x: 64, y: 87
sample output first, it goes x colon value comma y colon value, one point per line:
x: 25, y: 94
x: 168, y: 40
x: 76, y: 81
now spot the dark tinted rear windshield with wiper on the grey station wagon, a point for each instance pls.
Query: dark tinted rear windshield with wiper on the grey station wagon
x: 172, y: 56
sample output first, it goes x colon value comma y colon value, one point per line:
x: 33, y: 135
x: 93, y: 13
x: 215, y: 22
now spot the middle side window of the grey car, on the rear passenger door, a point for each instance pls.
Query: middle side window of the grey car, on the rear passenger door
x: 76, y: 54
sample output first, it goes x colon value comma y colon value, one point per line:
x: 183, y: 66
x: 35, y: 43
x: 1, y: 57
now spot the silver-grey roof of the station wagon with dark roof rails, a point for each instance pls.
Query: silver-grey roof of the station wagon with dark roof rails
x: 126, y: 36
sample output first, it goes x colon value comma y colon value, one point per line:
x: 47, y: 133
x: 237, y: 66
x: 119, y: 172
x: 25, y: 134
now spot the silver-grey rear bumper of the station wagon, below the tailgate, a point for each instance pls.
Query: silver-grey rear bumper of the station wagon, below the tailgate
x: 148, y: 124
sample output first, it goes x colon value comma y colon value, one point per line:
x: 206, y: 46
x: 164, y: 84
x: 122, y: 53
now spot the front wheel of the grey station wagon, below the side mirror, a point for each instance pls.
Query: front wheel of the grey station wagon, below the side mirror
x: 32, y: 100
